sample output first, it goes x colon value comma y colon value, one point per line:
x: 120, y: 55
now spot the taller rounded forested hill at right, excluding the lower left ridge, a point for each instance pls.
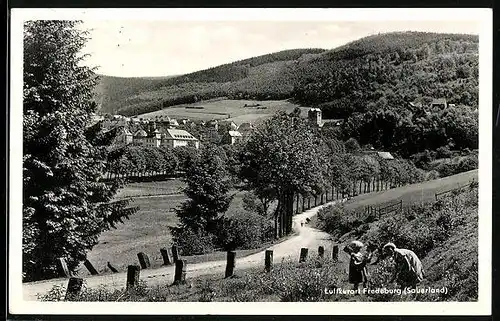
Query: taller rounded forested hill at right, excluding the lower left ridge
x: 390, y: 70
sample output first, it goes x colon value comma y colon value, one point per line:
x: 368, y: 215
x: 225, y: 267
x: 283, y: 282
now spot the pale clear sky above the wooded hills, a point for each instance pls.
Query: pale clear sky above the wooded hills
x: 128, y: 48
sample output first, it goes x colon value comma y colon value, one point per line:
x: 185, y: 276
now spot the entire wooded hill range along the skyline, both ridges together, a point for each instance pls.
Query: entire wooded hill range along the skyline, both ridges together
x: 373, y: 72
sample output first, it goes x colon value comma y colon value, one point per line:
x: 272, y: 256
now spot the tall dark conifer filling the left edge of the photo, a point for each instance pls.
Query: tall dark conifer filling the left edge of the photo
x: 65, y: 204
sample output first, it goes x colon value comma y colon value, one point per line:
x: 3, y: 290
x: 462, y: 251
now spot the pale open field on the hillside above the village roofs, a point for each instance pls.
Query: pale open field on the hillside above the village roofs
x: 227, y: 109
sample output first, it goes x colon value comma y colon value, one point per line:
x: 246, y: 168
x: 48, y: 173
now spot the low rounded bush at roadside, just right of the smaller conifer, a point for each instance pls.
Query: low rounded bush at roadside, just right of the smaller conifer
x: 244, y: 231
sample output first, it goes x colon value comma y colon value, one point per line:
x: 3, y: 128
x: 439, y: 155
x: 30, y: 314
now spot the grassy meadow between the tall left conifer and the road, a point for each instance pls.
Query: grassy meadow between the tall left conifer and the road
x: 148, y: 230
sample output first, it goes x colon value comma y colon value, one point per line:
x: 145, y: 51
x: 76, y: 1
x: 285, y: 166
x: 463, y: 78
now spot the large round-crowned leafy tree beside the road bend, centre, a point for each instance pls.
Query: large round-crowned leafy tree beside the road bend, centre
x: 282, y: 158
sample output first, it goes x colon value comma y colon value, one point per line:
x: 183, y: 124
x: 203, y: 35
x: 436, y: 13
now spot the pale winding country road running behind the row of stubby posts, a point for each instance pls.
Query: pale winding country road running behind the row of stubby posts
x: 289, y: 249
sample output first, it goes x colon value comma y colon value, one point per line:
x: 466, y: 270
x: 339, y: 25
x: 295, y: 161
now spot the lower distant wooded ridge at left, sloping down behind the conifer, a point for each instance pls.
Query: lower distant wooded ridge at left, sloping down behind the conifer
x: 132, y: 96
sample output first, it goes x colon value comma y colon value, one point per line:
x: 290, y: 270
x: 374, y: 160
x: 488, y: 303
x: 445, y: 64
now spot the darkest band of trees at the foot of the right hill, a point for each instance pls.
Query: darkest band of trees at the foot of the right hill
x: 408, y: 132
